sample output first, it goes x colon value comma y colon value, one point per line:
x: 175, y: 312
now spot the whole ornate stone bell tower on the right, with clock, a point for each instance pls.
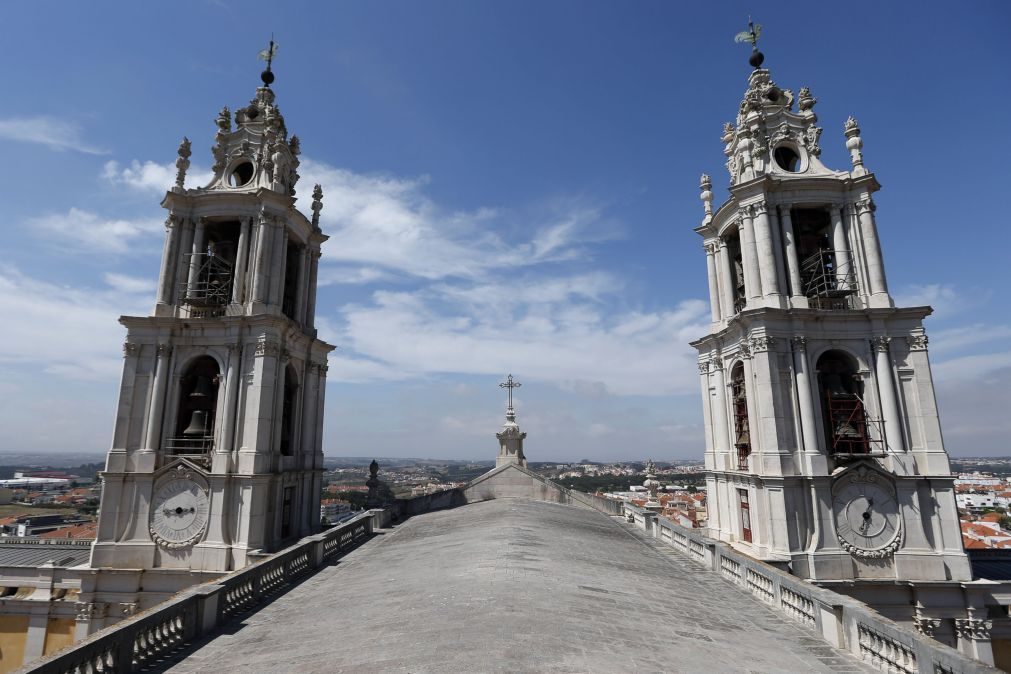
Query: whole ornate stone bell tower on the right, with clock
x: 823, y: 445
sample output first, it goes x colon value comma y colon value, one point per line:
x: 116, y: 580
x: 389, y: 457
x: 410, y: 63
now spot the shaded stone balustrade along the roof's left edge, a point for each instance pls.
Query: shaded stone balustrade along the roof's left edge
x: 136, y: 642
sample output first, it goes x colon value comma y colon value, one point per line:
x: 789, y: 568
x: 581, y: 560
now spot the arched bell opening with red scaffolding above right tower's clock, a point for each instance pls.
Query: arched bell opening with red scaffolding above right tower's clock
x: 842, y: 392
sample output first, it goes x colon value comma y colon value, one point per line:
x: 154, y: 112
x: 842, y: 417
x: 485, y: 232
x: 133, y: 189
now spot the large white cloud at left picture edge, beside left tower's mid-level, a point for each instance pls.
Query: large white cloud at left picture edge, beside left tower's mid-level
x: 64, y: 332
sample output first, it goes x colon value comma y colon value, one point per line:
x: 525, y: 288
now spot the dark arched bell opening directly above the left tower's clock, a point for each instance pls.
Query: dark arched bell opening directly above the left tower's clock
x: 195, y: 427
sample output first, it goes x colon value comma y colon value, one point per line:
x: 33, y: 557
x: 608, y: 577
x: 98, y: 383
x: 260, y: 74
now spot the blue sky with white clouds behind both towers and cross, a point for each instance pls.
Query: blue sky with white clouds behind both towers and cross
x: 510, y: 187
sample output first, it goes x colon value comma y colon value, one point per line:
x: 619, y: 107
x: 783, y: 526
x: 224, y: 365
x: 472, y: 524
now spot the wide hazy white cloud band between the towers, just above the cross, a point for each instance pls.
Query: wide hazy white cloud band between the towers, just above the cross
x: 569, y: 342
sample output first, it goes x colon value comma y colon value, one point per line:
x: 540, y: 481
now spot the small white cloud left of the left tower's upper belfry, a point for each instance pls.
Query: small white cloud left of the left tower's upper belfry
x: 86, y: 232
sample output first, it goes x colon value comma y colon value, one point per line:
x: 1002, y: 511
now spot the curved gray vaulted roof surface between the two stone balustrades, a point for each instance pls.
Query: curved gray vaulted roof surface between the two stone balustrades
x: 514, y: 586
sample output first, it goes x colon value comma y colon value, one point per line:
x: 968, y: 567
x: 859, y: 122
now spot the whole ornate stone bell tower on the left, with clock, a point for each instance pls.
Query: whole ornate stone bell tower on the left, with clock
x: 217, y: 453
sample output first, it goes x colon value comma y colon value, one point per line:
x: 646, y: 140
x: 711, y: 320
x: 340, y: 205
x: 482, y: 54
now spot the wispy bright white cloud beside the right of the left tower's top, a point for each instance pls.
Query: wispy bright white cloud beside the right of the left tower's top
x: 389, y: 223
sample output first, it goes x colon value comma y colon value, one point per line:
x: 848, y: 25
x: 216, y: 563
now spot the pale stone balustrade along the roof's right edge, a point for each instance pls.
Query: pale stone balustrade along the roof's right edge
x: 844, y: 622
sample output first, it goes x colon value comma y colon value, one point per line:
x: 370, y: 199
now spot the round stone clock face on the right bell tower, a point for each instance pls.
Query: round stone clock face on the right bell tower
x: 867, y: 518
